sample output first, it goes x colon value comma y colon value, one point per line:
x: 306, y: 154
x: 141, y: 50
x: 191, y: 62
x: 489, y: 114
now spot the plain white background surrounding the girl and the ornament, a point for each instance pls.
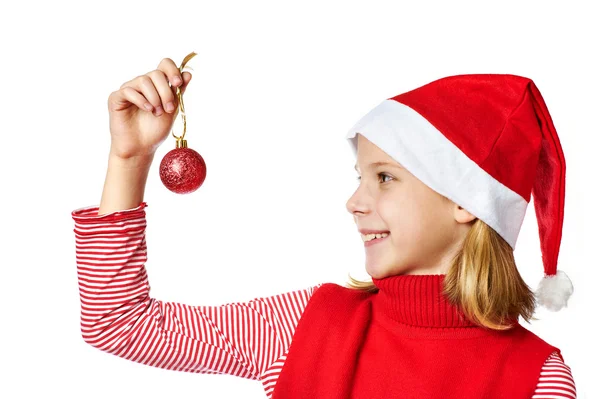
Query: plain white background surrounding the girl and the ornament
x: 276, y: 86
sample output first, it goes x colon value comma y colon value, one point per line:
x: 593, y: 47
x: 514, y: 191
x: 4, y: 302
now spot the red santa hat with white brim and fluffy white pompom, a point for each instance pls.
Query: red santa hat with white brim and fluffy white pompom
x: 486, y: 142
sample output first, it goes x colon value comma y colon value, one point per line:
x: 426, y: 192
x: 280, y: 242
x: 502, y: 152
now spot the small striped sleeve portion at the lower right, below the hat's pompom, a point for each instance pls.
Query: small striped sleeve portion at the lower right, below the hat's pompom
x: 556, y: 380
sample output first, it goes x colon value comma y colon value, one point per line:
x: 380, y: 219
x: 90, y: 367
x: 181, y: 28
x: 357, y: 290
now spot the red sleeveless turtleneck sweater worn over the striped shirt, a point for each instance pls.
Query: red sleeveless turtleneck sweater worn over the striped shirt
x: 406, y: 341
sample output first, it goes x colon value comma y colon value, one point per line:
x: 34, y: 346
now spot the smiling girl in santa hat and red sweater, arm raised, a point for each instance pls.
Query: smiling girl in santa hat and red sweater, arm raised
x: 446, y: 171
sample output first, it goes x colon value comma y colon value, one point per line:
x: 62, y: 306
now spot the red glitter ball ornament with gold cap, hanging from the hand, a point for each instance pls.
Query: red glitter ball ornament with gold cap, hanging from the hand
x: 182, y: 170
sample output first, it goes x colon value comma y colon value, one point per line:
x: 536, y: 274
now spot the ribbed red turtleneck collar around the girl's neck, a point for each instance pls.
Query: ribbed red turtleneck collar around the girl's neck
x: 417, y: 301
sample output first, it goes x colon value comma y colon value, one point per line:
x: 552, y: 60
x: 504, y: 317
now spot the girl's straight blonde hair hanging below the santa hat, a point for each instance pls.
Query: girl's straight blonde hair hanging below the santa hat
x: 483, y: 281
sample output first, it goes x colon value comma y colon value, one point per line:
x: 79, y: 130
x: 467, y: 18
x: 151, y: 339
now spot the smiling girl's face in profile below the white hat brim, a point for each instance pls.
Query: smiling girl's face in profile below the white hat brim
x: 425, y: 228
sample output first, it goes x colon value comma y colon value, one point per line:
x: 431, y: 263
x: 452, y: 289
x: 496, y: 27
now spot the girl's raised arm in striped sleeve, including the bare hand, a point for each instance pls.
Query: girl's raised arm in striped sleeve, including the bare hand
x: 118, y: 315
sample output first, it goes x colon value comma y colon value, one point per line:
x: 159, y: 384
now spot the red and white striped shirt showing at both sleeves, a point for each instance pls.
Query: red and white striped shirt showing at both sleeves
x: 246, y: 339
